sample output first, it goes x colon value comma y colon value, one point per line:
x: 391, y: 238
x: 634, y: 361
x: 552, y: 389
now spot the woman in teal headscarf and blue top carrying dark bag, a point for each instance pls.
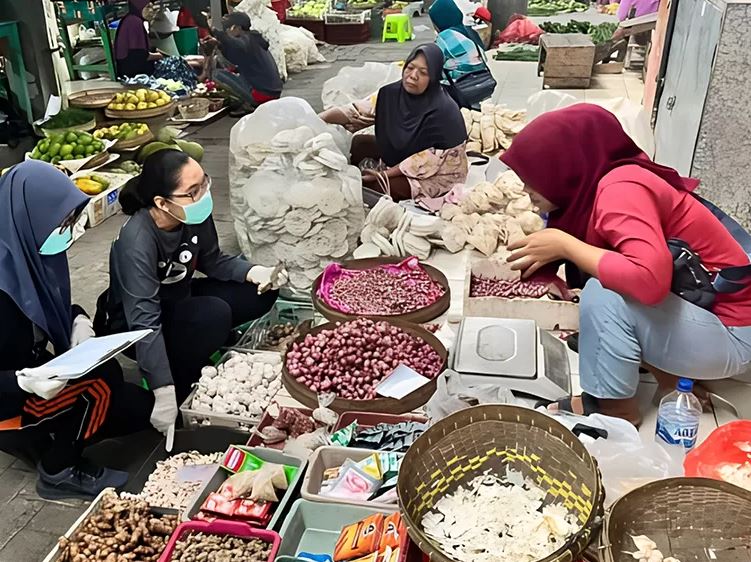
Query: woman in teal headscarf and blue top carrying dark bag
x: 461, y: 46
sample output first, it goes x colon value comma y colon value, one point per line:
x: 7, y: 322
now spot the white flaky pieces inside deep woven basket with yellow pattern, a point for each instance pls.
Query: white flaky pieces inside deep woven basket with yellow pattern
x: 498, y: 520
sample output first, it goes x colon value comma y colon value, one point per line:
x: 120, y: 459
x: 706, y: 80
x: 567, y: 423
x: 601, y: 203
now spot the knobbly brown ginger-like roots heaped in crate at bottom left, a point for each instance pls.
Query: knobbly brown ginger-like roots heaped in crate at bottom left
x: 122, y: 530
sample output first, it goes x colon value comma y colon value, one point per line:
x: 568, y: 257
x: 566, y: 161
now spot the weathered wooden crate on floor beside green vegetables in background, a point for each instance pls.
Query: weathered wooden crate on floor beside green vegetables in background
x: 566, y: 60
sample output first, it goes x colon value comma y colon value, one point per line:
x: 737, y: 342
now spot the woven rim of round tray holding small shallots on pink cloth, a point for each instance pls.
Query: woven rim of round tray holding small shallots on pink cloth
x: 420, y: 316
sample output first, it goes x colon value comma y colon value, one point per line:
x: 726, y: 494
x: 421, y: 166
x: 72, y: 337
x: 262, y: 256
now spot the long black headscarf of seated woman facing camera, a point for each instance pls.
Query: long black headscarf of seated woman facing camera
x: 406, y: 124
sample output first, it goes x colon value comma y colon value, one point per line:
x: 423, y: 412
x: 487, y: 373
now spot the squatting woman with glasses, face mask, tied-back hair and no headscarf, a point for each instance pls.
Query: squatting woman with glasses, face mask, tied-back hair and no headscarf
x: 169, y: 236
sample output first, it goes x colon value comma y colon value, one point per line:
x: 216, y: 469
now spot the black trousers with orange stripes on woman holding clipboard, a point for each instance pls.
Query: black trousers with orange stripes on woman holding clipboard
x: 98, y: 406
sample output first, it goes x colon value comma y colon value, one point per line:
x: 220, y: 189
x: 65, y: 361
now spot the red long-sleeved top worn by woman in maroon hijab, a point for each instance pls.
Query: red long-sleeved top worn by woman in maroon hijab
x: 636, y: 227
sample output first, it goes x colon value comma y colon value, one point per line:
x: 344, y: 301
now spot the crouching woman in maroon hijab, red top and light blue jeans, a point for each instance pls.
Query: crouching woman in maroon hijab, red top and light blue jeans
x: 610, y: 212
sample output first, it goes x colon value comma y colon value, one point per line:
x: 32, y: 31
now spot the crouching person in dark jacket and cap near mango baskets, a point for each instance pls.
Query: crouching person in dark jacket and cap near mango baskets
x: 258, y: 80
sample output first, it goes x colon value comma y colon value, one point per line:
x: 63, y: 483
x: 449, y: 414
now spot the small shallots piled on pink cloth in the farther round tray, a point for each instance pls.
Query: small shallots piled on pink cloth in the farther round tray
x: 384, y: 291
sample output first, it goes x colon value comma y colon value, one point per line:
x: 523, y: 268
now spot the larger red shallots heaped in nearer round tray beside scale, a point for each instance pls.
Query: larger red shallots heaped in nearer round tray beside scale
x: 351, y: 359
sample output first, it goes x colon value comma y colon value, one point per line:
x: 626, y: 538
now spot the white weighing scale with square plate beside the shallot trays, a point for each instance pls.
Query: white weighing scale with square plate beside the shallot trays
x: 513, y: 353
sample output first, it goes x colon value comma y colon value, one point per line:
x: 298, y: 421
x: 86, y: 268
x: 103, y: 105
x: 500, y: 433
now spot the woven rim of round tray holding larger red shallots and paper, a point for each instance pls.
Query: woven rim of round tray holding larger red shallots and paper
x: 414, y: 400
